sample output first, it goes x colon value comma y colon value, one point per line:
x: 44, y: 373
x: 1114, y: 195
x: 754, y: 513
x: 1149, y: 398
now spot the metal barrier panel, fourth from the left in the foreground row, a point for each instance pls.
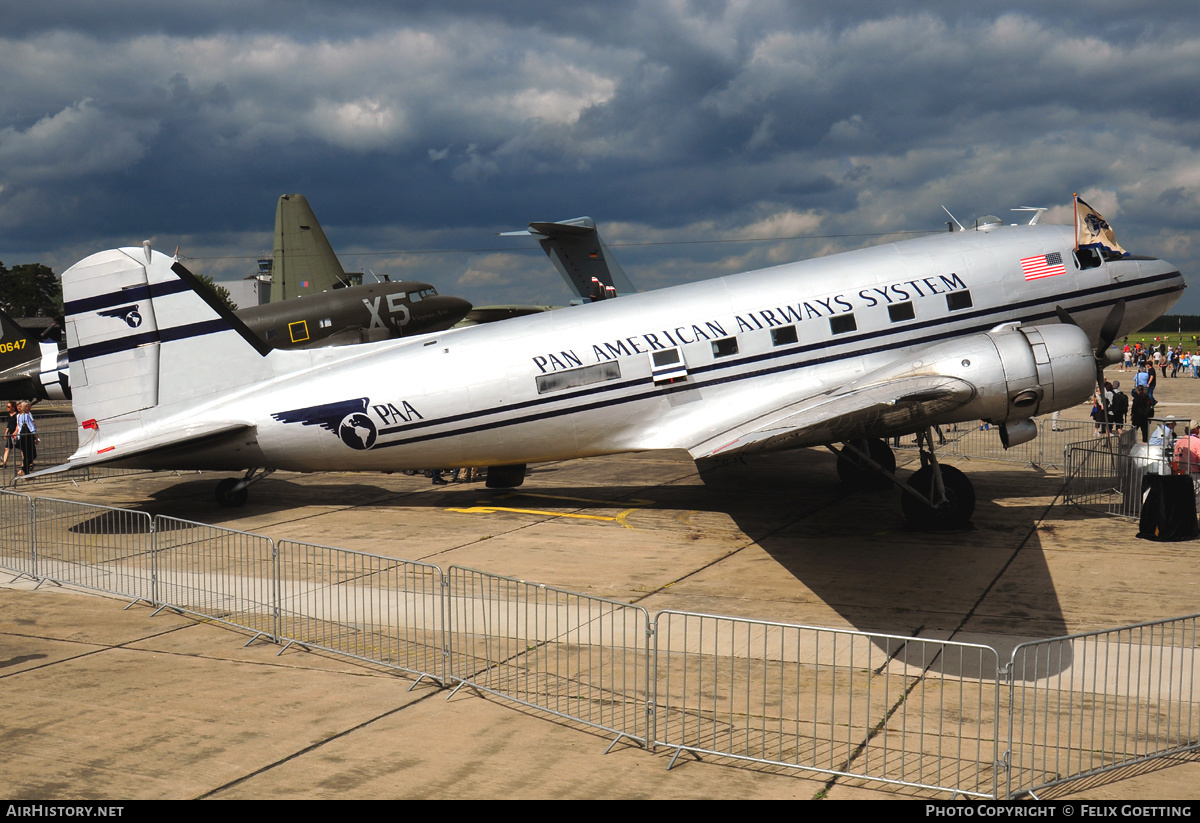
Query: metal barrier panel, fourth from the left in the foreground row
x: 363, y: 606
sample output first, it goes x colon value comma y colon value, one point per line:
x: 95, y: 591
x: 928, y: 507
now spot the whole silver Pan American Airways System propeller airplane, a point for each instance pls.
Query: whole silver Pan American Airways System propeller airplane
x: 1001, y: 323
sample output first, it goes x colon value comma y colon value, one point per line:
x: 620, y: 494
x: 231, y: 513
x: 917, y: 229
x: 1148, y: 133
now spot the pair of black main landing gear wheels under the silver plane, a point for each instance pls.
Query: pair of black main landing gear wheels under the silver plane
x: 937, y: 498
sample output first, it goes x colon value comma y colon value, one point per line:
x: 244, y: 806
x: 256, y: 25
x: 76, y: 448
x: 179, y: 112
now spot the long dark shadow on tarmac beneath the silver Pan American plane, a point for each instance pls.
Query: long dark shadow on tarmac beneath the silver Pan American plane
x: 853, y: 551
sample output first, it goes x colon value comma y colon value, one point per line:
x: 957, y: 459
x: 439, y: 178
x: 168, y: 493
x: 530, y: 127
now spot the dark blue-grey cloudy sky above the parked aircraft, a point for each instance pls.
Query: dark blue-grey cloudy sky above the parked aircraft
x: 418, y: 130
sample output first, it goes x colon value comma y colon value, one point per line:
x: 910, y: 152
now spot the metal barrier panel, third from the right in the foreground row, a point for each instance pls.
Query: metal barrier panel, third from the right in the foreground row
x: 569, y: 654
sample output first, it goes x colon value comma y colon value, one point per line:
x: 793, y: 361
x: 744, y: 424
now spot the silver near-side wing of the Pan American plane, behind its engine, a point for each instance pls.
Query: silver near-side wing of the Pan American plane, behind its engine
x: 843, y: 414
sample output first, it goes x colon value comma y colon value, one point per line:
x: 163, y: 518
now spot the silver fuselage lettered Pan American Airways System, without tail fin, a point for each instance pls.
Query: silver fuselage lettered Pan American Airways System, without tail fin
x: 663, y: 370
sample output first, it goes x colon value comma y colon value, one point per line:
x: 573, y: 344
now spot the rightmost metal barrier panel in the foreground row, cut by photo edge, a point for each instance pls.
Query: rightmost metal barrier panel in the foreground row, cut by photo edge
x: 1089, y: 704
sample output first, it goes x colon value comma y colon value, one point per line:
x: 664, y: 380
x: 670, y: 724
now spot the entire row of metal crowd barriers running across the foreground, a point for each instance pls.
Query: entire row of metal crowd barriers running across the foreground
x: 903, y: 711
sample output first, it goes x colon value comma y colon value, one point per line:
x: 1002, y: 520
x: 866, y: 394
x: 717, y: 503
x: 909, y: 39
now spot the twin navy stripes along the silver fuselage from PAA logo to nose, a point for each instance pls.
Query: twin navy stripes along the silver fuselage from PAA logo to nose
x: 770, y: 356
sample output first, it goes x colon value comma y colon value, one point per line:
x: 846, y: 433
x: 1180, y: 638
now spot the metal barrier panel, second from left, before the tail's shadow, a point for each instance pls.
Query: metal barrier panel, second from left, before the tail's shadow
x: 95, y: 548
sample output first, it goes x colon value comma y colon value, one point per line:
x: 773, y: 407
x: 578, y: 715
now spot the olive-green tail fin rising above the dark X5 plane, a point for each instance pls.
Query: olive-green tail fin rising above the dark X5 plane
x: 304, y: 262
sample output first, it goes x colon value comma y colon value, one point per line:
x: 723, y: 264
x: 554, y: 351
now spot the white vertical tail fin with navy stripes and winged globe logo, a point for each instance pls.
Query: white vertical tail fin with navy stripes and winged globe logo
x: 143, y: 333
